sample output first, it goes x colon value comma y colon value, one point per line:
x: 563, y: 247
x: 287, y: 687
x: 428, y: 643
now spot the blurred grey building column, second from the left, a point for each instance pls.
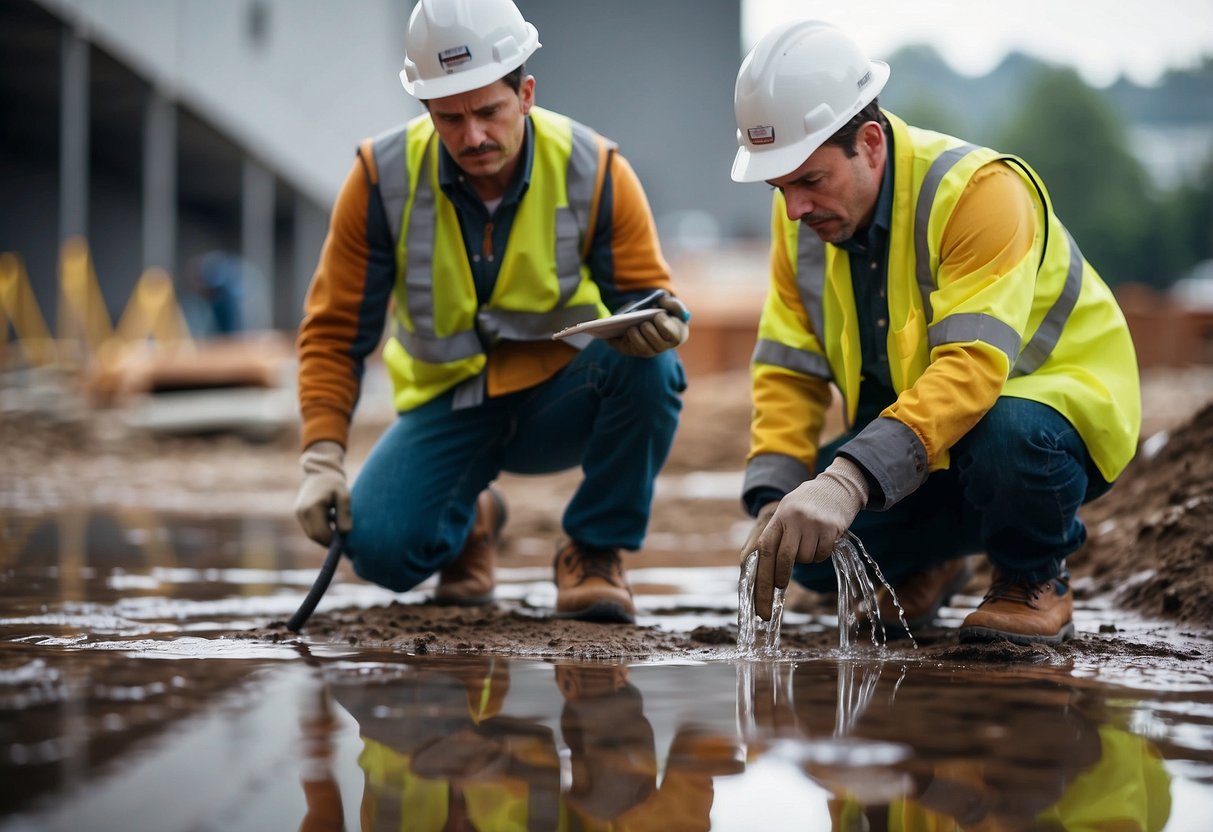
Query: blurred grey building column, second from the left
x: 161, y: 184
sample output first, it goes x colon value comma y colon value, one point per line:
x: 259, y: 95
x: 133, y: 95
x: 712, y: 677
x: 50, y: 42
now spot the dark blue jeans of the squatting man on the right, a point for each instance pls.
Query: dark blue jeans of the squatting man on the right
x: 1013, y: 492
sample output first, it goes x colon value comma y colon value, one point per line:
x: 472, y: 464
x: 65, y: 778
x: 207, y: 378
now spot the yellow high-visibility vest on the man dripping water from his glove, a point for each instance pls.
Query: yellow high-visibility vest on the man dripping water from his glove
x: 1056, y: 322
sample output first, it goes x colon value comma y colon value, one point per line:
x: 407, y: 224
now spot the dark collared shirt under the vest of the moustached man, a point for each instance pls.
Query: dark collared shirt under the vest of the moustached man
x: 485, y: 235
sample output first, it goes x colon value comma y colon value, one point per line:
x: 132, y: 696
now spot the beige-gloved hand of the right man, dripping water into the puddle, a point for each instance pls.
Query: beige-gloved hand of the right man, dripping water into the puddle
x: 806, y: 526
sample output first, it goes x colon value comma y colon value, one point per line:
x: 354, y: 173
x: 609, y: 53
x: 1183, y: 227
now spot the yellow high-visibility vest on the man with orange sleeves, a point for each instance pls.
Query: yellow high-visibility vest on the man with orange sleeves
x: 440, y: 333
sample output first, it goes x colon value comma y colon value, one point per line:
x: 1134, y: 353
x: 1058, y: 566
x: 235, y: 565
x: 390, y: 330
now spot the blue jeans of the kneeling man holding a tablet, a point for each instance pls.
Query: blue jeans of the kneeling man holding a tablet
x: 616, y: 417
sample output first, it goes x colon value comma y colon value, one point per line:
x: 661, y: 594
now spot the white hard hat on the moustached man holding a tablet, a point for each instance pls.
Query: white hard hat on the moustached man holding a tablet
x: 460, y: 45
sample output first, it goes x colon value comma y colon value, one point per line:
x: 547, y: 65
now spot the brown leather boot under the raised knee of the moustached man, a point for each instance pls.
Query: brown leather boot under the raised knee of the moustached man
x: 590, y: 585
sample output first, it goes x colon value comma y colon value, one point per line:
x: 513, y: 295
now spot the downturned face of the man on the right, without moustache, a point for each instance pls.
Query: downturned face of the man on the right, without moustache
x: 833, y: 193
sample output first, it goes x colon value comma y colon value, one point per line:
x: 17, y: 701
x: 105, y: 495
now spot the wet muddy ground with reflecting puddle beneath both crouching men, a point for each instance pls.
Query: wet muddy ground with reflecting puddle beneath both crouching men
x: 147, y: 680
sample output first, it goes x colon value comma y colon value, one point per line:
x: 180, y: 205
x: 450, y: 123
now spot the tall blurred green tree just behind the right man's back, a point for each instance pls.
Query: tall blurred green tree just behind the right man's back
x: 1074, y: 138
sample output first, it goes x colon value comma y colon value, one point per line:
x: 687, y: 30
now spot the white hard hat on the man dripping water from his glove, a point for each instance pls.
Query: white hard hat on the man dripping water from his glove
x: 799, y: 86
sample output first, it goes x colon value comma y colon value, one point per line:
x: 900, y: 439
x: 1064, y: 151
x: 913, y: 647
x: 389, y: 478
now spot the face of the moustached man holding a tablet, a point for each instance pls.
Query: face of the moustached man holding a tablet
x: 483, y: 129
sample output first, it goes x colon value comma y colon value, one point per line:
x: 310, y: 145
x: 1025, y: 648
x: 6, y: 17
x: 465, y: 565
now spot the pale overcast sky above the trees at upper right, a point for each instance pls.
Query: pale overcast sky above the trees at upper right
x: 1103, y: 39
